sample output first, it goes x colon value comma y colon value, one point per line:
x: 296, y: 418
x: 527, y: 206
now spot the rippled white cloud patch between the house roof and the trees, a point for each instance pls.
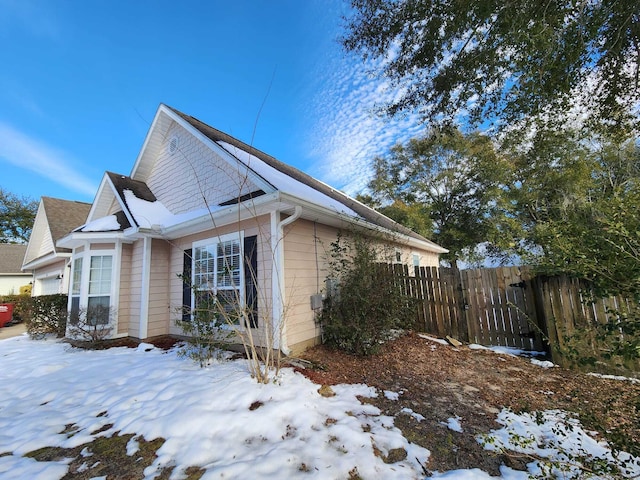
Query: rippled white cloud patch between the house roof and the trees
x: 348, y: 133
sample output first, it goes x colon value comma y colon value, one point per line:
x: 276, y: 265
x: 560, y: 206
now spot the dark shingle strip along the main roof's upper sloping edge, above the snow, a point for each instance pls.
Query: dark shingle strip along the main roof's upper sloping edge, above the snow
x: 362, y: 210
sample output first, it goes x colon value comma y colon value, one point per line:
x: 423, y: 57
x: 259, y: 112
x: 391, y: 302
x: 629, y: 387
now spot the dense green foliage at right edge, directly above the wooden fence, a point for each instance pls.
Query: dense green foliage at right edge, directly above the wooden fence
x: 578, y: 210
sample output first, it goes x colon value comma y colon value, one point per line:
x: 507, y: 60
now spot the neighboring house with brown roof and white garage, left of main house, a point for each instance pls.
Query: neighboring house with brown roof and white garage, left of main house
x: 47, y: 263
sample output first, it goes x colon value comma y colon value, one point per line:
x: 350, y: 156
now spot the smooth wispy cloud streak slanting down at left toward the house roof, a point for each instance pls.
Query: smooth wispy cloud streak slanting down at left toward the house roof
x: 33, y: 155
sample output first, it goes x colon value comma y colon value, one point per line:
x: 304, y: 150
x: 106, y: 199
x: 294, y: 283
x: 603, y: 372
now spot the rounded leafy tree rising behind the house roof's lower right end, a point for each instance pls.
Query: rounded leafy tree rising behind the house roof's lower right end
x: 446, y: 182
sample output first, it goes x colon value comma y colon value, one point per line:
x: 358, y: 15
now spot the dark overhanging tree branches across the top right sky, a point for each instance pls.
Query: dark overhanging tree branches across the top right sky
x: 501, y: 60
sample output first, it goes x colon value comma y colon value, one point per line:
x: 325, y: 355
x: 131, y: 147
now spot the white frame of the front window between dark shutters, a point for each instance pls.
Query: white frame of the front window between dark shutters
x: 212, y: 282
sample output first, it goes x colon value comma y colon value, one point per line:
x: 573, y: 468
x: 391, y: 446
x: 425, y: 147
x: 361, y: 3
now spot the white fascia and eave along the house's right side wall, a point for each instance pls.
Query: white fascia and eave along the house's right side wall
x: 315, y: 212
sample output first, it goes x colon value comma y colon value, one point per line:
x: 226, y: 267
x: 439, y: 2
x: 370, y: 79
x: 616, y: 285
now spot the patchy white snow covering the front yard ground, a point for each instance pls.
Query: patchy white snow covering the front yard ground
x: 220, y: 419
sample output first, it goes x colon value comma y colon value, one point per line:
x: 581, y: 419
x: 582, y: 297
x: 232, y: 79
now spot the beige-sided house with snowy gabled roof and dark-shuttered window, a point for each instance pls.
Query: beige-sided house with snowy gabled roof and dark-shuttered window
x: 202, y: 205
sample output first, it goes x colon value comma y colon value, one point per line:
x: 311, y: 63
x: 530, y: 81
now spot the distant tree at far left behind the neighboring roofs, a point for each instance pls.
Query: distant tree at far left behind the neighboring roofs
x: 16, y: 217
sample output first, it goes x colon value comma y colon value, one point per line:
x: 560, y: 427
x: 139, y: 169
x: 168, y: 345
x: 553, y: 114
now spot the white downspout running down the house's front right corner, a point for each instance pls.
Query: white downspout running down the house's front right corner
x: 277, y: 277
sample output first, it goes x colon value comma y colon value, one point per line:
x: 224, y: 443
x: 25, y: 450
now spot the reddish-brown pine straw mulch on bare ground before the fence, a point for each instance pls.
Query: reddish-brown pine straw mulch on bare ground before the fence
x: 440, y: 382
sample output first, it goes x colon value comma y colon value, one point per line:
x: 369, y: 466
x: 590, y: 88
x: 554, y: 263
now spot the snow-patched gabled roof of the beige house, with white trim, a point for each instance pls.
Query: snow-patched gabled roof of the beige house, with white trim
x: 141, y: 209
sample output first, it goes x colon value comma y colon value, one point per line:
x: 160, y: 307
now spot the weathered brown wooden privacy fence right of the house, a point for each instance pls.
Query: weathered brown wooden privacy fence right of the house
x: 507, y: 306
